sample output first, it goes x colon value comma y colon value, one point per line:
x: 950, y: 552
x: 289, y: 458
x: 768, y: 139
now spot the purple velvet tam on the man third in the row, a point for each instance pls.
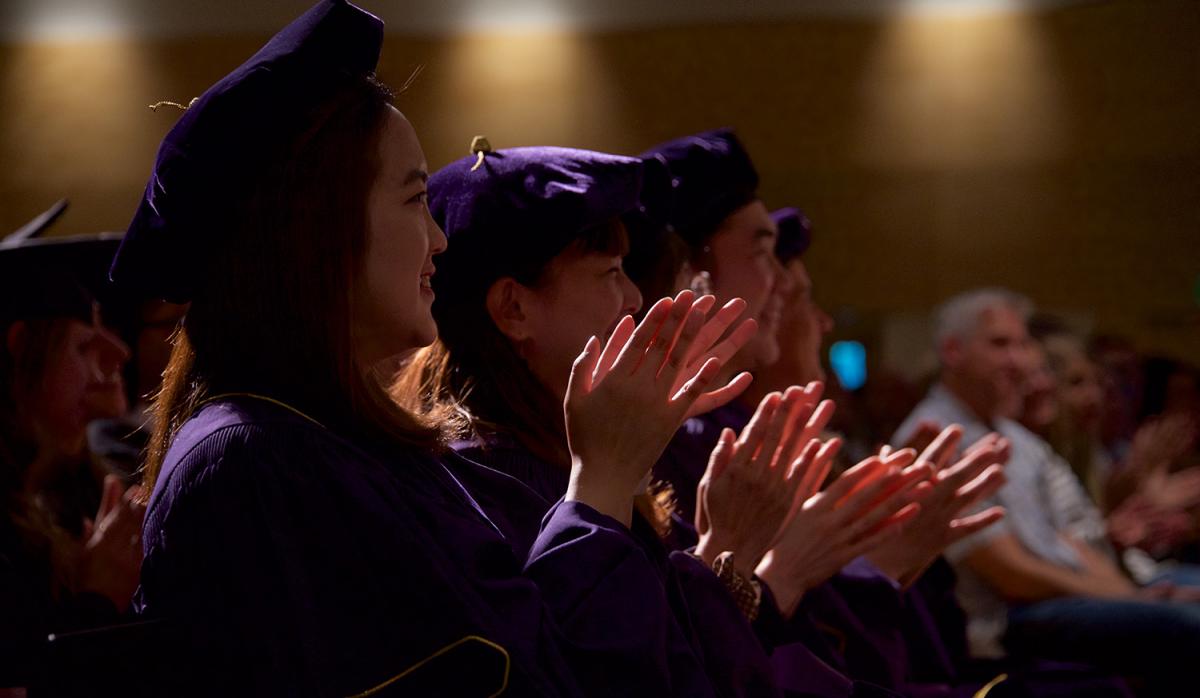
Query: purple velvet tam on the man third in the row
x: 712, y: 177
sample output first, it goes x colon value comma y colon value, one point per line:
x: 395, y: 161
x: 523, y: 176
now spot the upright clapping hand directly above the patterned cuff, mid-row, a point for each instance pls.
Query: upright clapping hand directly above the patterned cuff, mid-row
x: 755, y: 482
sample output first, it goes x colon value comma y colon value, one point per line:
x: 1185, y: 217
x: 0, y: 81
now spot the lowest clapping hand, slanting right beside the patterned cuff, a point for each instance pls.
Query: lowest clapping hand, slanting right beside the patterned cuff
x: 866, y: 508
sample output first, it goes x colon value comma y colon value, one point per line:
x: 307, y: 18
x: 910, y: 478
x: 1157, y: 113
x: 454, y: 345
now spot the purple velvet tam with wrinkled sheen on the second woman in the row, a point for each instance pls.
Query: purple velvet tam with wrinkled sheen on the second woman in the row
x: 520, y: 208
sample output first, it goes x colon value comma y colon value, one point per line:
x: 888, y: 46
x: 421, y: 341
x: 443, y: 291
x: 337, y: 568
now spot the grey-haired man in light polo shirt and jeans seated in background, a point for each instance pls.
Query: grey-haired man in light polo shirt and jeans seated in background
x: 1031, y: 583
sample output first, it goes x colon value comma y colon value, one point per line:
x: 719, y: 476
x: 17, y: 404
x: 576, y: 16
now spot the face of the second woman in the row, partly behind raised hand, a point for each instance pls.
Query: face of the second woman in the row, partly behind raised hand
x: 580, y: 294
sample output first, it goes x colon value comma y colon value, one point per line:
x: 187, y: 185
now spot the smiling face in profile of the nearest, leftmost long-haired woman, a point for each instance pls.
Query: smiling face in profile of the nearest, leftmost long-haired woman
x: 393, y: 300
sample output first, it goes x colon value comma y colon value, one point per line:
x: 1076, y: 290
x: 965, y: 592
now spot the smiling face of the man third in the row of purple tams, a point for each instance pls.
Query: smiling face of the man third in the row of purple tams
x: 741, y: 258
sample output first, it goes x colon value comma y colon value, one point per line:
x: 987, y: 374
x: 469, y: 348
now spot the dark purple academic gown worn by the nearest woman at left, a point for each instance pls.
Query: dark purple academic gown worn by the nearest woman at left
x: 291, y: 561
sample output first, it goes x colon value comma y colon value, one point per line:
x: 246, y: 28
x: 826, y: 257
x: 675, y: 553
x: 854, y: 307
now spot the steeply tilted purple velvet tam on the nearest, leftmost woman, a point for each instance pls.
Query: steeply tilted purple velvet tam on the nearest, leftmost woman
x: 209, y: 163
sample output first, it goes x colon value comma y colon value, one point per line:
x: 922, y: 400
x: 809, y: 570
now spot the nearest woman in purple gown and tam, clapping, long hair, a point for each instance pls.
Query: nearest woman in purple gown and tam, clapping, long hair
x: 305, y: 535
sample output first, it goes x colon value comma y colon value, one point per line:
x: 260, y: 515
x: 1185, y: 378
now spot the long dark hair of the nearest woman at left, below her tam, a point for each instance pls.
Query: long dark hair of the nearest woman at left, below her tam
x: 277, y: 317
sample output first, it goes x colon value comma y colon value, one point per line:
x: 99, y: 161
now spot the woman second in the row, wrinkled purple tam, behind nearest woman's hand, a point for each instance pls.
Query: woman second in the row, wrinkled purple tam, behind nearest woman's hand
x: 533, y: 273
